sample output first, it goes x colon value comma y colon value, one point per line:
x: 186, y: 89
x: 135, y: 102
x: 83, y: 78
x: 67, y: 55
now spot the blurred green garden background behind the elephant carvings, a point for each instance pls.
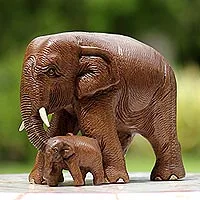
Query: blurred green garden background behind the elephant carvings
x: 172, y: 27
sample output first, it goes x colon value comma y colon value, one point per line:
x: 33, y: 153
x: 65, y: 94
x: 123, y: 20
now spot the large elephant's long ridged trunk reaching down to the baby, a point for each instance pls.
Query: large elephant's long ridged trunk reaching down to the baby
x: 30, y: 100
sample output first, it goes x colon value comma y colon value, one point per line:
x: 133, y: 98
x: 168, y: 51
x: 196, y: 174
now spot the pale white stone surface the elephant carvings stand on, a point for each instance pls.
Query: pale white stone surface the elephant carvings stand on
x: 16, y: 186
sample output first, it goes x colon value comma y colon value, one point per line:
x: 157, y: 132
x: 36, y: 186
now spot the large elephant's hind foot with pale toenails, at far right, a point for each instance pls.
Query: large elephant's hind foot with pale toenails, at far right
x: 166, y: 172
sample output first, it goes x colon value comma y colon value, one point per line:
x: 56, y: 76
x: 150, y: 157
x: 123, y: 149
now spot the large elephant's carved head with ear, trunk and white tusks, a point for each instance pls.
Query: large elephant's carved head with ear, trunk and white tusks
x: 55, y: 74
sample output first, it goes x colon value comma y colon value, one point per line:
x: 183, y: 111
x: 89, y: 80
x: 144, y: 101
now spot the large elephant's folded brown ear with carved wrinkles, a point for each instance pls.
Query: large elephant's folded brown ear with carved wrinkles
x: 98, y: 71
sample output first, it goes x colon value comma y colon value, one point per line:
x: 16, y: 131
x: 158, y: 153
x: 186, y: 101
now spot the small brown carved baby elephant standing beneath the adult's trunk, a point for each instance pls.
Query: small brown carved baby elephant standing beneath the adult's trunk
x: 78, y: 154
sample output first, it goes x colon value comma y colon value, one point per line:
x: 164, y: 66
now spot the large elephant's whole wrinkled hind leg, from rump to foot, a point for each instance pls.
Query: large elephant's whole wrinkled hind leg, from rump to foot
x: 163, y: 138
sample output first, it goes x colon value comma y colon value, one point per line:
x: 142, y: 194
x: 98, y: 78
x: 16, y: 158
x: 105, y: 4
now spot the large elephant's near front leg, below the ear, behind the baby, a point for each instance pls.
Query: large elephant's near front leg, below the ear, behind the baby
x: 97, y: 121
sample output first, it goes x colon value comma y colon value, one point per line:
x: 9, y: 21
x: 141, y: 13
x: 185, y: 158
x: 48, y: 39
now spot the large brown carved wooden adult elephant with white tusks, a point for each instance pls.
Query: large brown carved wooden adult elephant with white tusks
x: 108, y: 86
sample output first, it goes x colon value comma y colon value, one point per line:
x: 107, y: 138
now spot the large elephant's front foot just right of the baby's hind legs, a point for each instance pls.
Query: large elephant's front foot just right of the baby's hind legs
x: 113, y: 175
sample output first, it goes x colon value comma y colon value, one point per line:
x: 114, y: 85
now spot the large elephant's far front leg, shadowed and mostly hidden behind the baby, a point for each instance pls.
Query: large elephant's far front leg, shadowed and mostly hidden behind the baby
x: 62, y: 122
